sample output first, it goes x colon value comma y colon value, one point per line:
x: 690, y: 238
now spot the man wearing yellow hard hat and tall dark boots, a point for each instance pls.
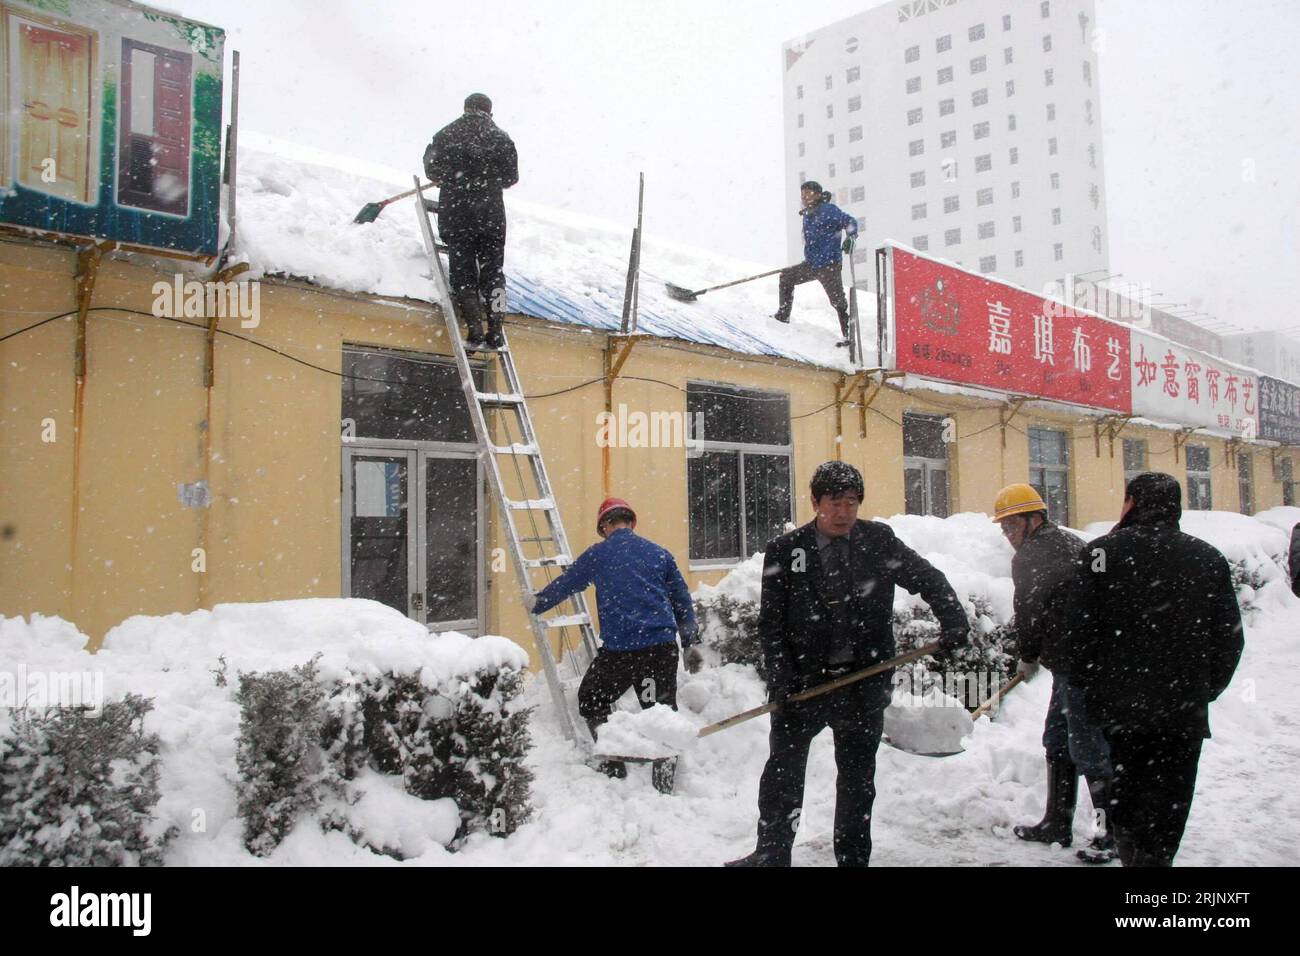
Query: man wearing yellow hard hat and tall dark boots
x: 1043, y: 573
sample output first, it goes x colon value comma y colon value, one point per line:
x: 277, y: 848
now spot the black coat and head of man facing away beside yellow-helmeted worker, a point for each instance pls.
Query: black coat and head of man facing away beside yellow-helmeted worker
x: 1155, y: 626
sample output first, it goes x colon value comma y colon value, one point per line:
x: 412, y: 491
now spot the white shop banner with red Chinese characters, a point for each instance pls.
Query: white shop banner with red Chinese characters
x: 1173, y: 383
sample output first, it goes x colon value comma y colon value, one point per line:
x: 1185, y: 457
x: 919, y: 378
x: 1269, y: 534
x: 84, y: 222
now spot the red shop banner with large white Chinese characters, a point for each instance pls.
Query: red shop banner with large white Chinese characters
x: 970, y: 331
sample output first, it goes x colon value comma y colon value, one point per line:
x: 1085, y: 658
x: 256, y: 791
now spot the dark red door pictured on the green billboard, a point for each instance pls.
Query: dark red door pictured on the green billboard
x: 154, y: 132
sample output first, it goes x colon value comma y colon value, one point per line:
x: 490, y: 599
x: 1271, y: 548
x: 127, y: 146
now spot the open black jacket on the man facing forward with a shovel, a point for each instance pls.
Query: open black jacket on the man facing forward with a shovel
x: 796, y: 626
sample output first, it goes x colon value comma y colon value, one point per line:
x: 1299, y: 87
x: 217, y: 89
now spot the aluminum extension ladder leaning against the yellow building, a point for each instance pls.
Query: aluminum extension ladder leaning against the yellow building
x: 523, y: 496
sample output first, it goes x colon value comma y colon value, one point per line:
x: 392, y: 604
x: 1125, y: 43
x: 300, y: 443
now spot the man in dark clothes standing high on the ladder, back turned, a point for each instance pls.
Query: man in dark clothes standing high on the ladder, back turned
x: 471, y: 161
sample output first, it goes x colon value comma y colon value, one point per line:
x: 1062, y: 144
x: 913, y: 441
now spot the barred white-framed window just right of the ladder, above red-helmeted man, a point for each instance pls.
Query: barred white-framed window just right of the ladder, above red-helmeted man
x: 739, y: 491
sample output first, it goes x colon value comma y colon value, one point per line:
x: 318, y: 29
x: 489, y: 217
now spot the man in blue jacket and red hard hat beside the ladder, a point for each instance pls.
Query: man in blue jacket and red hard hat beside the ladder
x: 644, y: 604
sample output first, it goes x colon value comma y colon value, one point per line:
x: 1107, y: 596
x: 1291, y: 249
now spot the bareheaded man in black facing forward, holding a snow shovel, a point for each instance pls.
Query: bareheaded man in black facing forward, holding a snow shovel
x: 826, y: 612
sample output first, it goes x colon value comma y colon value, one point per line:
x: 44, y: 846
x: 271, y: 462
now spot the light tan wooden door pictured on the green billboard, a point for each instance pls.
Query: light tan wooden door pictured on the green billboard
x: 47, y: 72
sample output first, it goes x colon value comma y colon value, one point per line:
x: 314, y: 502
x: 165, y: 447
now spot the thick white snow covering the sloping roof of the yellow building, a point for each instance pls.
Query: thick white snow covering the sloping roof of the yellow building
x: 296, y: 218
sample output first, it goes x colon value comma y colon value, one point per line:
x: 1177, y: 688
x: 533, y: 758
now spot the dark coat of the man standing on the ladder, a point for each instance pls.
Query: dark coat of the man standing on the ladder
x: 471, y: 161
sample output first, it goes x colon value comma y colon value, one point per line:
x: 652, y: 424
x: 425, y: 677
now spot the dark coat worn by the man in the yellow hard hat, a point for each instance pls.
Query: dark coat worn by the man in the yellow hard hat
x: 1043, y: 572
